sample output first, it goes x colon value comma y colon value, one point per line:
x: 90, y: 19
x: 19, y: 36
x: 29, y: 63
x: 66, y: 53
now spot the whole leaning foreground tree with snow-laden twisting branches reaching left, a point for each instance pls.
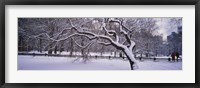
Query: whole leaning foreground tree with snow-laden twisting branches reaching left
x: 107, y: 37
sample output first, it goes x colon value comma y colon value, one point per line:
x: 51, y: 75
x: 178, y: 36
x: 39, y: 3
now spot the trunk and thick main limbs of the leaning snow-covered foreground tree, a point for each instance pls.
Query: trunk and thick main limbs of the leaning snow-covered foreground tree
x: 111, y: 37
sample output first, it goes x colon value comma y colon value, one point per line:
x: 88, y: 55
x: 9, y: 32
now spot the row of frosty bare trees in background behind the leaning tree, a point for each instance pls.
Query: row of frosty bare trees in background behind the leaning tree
x: 143, y: 31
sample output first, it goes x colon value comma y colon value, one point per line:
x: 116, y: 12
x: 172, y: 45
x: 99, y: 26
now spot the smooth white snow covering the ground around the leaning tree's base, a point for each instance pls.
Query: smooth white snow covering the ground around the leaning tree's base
x: 68, y: 63
